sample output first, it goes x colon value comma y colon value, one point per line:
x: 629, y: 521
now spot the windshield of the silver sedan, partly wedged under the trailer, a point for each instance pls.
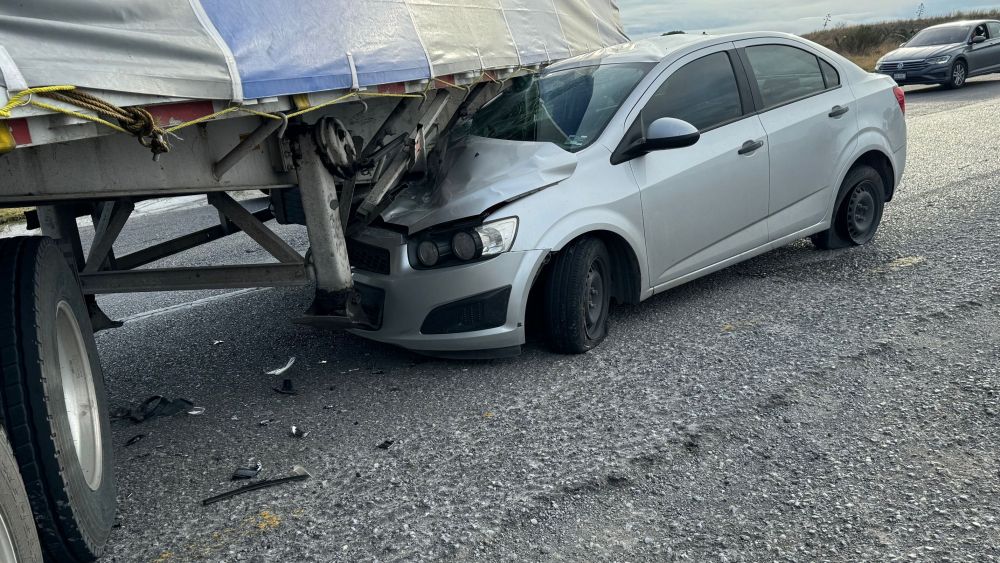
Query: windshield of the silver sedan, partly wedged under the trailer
x: 569, y: 107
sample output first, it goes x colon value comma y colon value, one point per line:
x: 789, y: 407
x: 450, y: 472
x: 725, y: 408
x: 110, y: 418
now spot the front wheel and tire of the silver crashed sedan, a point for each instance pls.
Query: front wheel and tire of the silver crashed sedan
x: 578, y: 297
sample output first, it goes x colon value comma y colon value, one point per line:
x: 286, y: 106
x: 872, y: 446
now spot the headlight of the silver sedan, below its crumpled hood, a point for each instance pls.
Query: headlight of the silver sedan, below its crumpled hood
x: 461, y: 245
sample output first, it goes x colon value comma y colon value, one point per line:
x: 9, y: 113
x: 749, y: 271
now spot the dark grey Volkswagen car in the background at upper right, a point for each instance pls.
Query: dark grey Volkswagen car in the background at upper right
x: 947, y: 54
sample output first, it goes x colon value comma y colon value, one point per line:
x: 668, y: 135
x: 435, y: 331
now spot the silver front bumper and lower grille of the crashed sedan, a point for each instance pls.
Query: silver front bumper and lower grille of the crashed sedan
x: 471, y: 310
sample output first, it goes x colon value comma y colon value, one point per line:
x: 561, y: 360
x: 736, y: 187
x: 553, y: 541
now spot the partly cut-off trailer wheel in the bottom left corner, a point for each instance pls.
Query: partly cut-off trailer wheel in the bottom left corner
x: 15, y: 514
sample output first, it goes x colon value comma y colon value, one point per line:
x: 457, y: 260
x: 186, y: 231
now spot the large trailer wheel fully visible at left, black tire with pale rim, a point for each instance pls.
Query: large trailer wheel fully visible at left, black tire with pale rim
x: 49, y: 364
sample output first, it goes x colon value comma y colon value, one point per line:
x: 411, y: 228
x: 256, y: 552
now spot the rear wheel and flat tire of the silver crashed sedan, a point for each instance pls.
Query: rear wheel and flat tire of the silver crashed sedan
x: 858, y: 211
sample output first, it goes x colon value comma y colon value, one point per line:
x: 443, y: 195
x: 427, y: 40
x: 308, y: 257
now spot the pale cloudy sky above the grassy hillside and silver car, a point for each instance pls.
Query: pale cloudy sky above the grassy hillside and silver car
x: 643, y: 18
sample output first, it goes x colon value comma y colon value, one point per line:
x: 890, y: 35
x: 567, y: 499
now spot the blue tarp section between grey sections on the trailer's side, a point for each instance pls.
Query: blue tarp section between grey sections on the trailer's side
x: 299, y: 46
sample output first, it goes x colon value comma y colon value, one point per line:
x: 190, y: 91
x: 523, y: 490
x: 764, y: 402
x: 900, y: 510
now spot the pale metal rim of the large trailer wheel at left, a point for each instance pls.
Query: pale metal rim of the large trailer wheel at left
x: 79, y: 395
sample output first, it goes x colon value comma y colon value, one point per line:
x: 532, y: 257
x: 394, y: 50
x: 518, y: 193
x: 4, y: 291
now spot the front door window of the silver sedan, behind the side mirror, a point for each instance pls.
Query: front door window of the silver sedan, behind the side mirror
x: 704, y: 93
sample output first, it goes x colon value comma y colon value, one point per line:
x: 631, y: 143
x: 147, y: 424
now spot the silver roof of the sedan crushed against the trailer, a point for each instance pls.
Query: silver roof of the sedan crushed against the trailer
x: 655, y: 49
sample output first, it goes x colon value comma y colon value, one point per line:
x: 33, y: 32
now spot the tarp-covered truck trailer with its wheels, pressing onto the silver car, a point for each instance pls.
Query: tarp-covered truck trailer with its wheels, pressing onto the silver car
x: 330, y: 109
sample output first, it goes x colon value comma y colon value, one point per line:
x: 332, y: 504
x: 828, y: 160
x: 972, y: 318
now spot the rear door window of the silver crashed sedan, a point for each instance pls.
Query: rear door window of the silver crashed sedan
x: 786, y: 73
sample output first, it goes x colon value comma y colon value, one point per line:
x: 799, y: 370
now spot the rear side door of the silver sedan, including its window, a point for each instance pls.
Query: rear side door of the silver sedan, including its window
x: 811, y: 122
